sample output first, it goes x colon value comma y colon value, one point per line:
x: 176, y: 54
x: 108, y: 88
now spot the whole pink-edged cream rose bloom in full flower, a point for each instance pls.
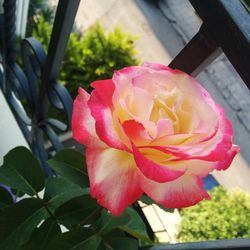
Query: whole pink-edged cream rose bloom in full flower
x: 151, y: 129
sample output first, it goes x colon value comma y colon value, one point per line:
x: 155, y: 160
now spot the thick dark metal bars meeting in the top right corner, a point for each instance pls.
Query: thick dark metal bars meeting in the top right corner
x: 225, y: 28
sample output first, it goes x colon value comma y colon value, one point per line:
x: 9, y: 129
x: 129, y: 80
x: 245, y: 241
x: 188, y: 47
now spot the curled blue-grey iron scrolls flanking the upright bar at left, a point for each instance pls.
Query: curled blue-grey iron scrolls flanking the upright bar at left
x: 34, y: 58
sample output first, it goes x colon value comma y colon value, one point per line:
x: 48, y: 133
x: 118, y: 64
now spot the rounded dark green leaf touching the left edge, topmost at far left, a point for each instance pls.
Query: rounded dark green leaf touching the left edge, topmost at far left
x: 21, y: 170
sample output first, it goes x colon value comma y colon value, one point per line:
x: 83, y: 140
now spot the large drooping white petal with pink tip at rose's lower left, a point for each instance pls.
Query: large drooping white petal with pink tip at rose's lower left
x: 114, y: 179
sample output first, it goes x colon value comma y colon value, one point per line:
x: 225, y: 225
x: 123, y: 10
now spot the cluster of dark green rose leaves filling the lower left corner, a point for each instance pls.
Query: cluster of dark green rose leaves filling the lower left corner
x: 35, y: 222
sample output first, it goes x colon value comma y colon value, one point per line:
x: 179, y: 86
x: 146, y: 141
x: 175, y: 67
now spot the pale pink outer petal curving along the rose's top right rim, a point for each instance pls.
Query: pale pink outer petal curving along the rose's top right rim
x: 160, y: 78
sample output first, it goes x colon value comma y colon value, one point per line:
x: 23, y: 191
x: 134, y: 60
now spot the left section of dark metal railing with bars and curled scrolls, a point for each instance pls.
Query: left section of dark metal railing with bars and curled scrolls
x: 33, y: 93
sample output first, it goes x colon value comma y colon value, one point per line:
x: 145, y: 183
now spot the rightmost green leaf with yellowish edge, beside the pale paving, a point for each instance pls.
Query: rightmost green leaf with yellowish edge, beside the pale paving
x: 136, y: 226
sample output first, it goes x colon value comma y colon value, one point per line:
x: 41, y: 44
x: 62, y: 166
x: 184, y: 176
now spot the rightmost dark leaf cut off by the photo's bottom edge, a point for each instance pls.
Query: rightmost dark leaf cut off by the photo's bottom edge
x: 122, y: 243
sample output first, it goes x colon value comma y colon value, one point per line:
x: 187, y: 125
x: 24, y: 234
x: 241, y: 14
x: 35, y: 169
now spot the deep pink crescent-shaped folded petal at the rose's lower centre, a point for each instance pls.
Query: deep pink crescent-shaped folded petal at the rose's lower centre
x: 153, y: 170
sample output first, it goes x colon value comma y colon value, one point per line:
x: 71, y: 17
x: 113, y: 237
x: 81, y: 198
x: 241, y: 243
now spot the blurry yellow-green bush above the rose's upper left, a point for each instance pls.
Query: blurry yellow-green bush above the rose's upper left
x: 102, y: 53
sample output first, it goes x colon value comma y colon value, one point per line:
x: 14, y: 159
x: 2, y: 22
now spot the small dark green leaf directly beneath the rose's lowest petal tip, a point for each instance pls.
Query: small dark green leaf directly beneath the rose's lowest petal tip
x: 108, y: 222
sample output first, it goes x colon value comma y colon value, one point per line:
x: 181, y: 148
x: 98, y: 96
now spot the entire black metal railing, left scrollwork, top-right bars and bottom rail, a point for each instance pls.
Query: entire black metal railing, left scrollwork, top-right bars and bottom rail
x: 226, y: 27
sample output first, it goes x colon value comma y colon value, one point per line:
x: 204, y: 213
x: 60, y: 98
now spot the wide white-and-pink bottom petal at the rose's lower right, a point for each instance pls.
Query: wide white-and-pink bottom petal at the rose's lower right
x: 186, y: 191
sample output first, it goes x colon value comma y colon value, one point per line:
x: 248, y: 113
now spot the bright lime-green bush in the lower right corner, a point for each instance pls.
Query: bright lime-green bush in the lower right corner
x: 226, y: 216
